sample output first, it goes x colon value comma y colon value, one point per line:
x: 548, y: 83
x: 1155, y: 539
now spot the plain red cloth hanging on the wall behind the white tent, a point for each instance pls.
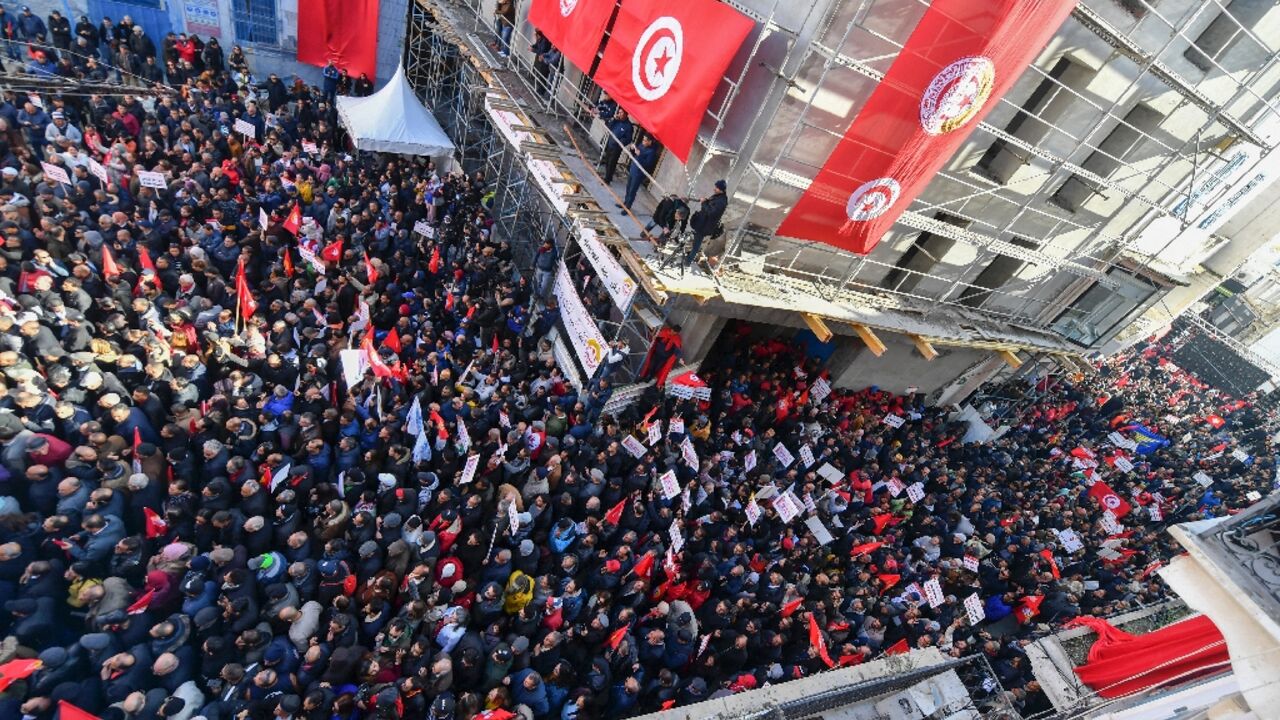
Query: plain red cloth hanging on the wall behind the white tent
x: 344, y: 31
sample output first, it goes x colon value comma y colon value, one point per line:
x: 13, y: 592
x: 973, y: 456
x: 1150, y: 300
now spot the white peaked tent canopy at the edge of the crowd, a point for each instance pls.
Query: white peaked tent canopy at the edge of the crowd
x: 394, y: 121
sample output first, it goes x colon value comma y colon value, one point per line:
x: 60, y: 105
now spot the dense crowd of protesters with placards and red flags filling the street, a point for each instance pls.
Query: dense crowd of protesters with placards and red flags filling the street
x: 271, y: 453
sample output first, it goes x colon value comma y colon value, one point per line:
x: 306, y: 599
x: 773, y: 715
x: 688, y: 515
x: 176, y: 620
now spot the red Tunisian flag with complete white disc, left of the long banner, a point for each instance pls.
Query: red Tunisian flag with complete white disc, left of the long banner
x: 665, y: 60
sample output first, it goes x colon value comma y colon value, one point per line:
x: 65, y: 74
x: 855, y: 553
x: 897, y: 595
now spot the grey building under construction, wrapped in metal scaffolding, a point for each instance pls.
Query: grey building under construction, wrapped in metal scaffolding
x: 1124, y: 176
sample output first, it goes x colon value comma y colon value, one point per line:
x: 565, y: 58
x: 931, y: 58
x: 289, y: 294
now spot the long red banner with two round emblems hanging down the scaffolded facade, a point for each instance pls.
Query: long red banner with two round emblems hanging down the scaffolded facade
x: 961, y: 60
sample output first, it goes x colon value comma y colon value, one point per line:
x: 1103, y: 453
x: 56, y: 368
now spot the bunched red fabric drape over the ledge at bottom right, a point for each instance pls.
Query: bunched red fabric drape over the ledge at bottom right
x: 1122, y: 664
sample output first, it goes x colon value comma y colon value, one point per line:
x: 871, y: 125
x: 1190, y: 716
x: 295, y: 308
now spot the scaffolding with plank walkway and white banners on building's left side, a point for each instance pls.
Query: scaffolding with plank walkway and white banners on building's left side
x: 465, y: 88
